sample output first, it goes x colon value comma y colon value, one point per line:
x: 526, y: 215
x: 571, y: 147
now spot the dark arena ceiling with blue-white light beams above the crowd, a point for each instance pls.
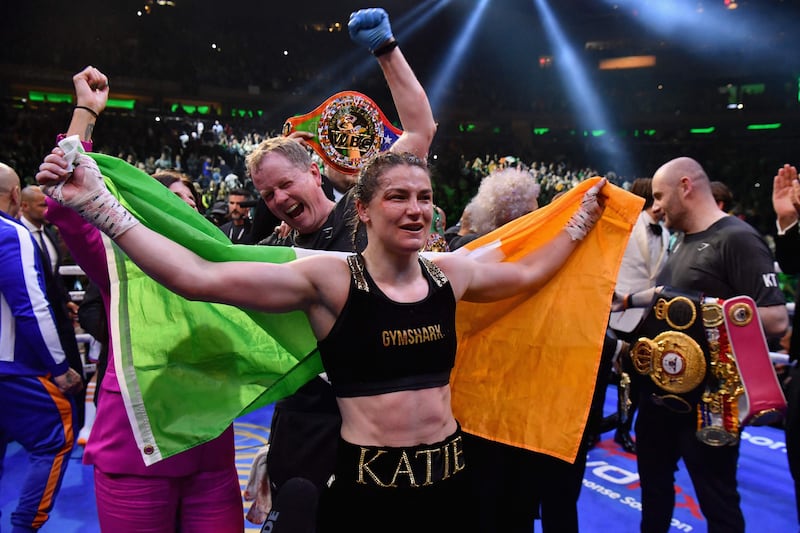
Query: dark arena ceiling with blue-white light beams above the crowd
x: 285, y: 45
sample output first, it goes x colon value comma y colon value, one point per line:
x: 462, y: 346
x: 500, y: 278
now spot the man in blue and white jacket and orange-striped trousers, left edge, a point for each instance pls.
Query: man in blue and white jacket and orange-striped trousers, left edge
x: 37, y: 381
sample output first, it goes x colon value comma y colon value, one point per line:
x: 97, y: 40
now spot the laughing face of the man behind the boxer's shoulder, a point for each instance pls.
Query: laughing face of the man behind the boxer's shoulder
x: 293, y: 193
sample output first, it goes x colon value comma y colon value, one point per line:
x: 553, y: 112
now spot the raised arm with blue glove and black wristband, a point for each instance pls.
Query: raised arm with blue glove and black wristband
x: 371, y: 28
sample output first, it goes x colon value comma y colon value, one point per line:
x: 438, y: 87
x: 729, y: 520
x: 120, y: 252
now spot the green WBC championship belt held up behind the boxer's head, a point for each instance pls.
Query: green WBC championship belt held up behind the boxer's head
x: 349, y: 128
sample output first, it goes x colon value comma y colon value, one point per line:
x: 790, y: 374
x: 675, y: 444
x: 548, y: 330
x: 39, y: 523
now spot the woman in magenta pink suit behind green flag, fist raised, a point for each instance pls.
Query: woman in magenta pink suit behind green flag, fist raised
x: 197, y: 490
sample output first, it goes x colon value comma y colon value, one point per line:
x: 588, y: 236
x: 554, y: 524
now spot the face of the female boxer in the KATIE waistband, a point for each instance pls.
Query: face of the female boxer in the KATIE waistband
x: 400, y: 210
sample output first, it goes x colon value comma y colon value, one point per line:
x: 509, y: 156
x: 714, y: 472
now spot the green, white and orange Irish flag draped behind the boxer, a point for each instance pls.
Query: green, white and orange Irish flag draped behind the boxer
x: 525, y: 365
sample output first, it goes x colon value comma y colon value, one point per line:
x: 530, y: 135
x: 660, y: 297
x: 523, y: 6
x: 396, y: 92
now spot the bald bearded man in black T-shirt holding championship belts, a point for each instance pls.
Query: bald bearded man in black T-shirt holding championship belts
x: 719, y: 256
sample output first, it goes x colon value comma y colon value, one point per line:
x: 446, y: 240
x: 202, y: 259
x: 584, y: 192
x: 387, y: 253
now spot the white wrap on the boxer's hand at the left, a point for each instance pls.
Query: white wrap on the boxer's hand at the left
x: 95, y: 204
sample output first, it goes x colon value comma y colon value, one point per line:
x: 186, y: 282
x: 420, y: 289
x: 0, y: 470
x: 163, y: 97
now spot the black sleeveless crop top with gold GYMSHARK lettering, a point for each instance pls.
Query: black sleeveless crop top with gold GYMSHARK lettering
x: 378, y: 346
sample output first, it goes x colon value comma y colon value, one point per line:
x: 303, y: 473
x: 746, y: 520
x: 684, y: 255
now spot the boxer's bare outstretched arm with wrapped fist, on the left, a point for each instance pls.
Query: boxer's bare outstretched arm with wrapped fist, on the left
x: 299, y: 285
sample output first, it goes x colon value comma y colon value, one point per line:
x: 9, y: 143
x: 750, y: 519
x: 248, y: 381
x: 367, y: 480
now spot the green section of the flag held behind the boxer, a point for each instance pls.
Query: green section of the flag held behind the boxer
x: 190, y: 368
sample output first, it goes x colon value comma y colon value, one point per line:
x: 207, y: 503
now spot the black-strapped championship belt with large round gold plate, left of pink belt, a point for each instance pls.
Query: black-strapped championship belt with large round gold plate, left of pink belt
x: 672, y: 351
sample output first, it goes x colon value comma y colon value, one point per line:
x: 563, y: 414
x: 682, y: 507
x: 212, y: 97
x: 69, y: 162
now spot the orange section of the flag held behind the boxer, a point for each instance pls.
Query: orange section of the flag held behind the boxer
x: 527, y: 366
